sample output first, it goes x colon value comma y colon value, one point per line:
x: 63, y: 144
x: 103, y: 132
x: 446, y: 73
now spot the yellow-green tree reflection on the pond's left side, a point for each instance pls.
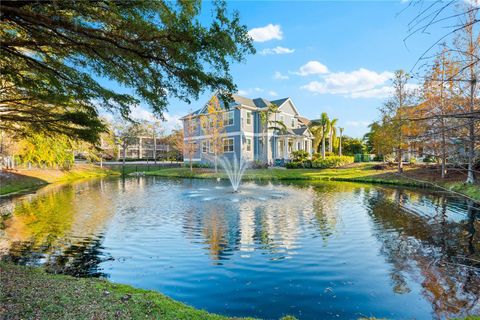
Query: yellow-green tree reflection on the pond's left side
x: 57, y: 228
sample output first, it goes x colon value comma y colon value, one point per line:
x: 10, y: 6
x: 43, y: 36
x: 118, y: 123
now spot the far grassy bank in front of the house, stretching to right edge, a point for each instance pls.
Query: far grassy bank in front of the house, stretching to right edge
x: 415, y: 176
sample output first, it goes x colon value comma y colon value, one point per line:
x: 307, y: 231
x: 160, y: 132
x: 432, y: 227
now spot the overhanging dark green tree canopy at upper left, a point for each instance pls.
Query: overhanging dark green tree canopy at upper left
x: 55, y: 53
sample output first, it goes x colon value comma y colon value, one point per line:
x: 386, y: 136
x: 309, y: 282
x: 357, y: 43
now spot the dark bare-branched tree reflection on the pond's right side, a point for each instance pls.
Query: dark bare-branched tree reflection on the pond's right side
x: 432, y: 249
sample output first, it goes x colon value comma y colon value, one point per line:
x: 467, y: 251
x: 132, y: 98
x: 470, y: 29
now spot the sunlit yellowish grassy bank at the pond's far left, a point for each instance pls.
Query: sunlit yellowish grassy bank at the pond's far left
x: 29, y: 179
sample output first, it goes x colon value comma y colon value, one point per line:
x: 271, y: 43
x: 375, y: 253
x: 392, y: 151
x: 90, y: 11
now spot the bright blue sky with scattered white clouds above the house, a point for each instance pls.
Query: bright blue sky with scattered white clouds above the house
x: 335, y: 57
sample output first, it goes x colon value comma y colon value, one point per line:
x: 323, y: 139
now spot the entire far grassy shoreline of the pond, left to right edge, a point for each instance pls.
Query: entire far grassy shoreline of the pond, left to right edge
x: 31, y: 180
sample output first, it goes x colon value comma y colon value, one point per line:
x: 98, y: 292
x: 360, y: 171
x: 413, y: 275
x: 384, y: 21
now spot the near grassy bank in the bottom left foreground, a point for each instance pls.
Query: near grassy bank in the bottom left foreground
x: 30, y: 293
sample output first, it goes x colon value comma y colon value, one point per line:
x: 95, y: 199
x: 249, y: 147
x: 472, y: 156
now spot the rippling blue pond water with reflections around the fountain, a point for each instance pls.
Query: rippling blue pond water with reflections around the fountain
x: 315, y: 251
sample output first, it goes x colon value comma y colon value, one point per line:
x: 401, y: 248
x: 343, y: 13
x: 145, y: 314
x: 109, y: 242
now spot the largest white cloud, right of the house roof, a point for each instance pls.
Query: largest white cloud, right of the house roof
x: 361, y: 83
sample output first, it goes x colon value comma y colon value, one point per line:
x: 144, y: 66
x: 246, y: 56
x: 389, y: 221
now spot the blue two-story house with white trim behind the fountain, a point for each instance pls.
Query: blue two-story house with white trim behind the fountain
x: 246, y: 135
